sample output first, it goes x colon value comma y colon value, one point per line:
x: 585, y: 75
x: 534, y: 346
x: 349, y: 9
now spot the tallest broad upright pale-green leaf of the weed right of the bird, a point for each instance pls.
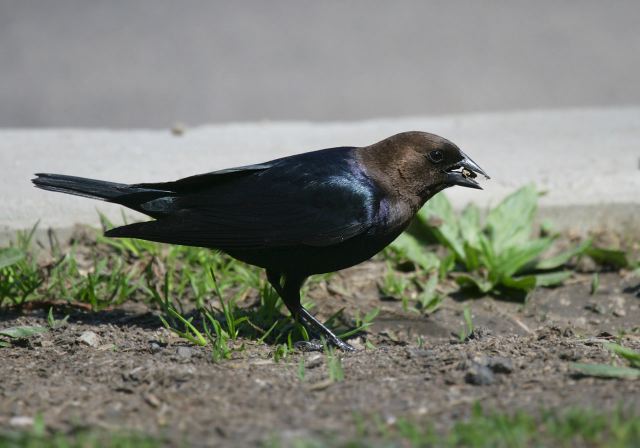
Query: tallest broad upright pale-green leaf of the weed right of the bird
x: 510, y: 222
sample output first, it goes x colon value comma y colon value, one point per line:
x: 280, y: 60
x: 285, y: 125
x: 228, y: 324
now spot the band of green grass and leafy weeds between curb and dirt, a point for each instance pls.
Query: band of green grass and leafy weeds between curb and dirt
x: 213, y: 300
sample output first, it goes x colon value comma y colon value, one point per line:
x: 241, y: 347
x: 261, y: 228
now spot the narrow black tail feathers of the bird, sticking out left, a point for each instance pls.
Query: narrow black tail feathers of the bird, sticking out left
x: 80, y: 186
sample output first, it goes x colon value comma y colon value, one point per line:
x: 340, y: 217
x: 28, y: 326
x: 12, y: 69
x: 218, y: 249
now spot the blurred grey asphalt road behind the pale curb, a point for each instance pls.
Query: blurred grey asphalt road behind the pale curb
x: 156, y: 62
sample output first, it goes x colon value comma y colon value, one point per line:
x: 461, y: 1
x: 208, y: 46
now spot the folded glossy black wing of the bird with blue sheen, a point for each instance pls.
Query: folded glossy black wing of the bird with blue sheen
x: 283, y: 205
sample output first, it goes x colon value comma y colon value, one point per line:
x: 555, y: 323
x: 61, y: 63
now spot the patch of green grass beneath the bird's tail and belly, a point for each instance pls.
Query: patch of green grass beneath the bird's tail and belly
x: 203, y: 296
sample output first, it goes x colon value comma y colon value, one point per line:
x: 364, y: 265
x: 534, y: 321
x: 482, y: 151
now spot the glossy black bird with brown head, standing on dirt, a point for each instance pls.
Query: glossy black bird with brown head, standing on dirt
x: 305, y: 214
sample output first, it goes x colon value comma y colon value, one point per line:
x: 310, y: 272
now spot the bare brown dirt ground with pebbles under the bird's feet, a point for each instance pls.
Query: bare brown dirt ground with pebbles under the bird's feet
x: 141, y: 377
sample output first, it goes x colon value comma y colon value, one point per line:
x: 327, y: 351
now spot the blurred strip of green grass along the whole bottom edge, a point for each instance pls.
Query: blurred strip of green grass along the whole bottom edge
x: 483, y: 429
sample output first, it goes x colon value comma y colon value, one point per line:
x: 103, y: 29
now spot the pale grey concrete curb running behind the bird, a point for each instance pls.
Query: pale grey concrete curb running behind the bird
x: 588, y: 161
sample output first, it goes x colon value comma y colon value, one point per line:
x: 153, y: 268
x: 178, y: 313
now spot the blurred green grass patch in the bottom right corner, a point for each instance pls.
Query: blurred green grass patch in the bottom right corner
x: 570, y: 428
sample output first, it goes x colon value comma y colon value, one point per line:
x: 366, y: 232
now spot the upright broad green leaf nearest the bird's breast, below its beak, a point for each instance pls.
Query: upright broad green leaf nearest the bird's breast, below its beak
x: 446, y: 230
